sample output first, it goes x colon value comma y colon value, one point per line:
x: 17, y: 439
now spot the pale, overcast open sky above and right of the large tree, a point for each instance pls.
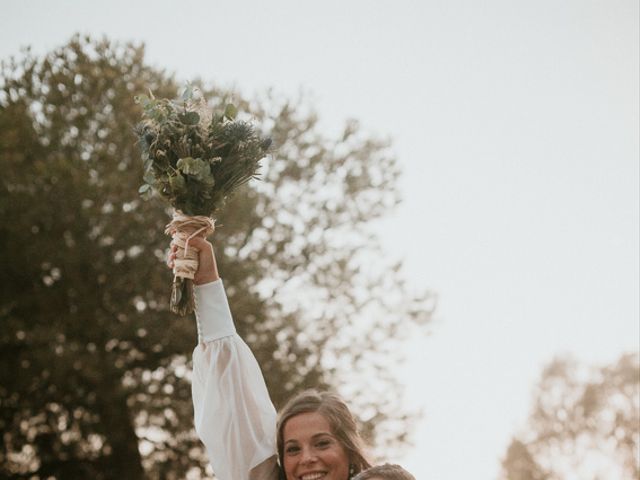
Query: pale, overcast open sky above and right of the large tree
x: 516, y: 126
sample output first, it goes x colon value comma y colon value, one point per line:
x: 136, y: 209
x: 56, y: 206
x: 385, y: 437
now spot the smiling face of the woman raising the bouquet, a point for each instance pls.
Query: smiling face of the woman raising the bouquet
x: 311, y: 451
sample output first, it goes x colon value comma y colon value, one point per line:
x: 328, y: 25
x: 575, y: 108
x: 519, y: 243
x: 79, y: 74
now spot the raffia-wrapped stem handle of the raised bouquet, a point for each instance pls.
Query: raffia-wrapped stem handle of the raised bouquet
x: 182, y: 229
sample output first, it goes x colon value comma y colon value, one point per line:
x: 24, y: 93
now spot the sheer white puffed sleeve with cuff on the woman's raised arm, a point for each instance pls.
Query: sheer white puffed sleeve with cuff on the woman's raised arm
x: 234, y: 416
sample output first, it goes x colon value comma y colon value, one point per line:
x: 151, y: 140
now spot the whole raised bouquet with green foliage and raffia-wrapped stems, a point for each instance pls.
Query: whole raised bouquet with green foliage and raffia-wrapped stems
x: 194, y: 158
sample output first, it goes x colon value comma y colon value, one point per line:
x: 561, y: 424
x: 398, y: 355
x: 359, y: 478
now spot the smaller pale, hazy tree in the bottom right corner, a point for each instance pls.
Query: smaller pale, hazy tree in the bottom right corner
x: 585, y: 424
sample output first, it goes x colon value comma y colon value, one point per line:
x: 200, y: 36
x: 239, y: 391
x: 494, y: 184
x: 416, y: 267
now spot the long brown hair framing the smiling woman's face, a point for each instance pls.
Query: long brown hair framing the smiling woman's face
x: 337, y: 414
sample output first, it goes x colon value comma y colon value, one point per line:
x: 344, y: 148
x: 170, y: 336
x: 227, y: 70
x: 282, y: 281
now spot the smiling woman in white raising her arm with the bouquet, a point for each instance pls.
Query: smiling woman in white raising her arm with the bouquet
x: 315, y: 436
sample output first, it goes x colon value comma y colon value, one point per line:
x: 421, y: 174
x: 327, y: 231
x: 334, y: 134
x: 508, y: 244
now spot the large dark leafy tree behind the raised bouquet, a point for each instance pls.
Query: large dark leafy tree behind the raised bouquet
x: 94, y: 377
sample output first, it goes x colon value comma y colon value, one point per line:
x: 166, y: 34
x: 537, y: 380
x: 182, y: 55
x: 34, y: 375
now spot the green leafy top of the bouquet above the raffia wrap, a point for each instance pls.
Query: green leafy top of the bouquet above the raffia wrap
x: 192, y: 162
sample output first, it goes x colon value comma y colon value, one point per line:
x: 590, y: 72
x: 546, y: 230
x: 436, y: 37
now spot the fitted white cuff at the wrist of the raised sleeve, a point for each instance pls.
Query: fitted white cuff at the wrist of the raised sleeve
x: 213, y: 315
